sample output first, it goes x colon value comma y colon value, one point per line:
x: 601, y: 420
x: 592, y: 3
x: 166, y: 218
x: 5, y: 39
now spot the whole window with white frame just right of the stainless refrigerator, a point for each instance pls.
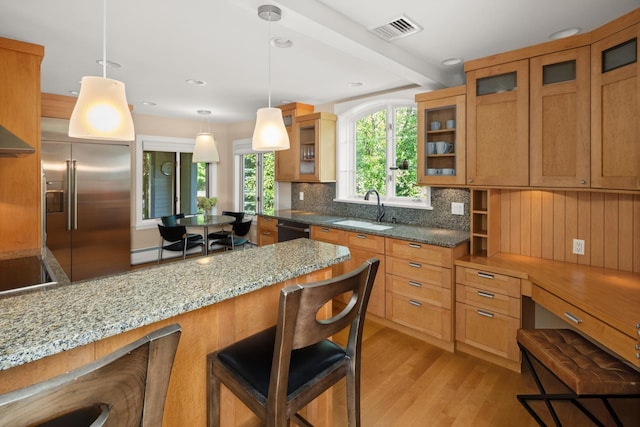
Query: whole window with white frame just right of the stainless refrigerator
x: 167, y: 182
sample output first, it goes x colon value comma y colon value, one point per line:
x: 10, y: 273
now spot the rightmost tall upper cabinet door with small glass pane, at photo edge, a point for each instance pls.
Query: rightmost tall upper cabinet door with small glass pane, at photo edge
x: 615, y: 100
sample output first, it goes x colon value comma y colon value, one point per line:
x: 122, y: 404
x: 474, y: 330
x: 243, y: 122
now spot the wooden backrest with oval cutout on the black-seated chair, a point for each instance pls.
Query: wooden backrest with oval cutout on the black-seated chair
x: 298, y: 324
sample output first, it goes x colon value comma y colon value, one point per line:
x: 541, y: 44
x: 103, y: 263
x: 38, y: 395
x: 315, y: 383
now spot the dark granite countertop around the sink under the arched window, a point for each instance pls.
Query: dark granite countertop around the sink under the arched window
x: 428, y: 235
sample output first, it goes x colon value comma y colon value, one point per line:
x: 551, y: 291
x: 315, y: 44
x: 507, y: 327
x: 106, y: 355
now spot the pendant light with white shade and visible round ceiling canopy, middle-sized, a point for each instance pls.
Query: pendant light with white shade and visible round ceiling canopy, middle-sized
x: 270, y: 133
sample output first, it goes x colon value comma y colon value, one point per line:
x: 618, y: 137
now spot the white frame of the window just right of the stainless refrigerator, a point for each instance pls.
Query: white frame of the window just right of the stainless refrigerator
x: 171, y: 145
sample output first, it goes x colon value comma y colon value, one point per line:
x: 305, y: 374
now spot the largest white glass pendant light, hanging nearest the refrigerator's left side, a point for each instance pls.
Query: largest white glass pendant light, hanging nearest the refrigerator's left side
x: 101, y: 111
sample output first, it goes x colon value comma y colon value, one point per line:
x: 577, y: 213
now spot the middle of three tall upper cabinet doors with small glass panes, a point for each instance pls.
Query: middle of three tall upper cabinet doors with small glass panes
x: 560, y: 115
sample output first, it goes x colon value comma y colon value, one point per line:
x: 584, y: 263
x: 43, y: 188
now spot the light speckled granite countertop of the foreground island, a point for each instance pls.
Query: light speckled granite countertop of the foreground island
x: 49, y: 321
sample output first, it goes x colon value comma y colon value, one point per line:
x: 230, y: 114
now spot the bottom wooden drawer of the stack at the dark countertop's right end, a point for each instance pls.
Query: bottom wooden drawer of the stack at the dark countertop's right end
x: 429, y: 319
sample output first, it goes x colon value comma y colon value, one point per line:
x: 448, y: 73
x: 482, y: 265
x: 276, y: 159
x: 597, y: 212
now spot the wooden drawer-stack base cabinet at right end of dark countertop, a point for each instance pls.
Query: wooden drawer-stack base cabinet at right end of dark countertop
x: 420, y: 287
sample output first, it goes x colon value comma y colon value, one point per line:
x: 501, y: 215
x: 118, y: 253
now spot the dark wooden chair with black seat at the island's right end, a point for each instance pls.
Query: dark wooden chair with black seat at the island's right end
x: 280, y: 370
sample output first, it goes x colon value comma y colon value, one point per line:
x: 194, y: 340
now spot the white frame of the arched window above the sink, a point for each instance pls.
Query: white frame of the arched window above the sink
x: 348, y: 115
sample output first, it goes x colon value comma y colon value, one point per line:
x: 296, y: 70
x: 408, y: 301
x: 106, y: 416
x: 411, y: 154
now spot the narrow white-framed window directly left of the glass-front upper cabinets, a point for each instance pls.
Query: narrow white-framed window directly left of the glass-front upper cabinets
x: 255, y: 178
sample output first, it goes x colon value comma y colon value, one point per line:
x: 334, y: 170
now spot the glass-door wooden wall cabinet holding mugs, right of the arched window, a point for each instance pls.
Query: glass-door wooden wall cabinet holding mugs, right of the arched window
x: 442, y: 146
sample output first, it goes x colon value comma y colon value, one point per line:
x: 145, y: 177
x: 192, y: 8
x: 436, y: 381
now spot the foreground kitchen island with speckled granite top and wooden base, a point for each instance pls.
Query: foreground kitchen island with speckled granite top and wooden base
x: 216, y: 300
